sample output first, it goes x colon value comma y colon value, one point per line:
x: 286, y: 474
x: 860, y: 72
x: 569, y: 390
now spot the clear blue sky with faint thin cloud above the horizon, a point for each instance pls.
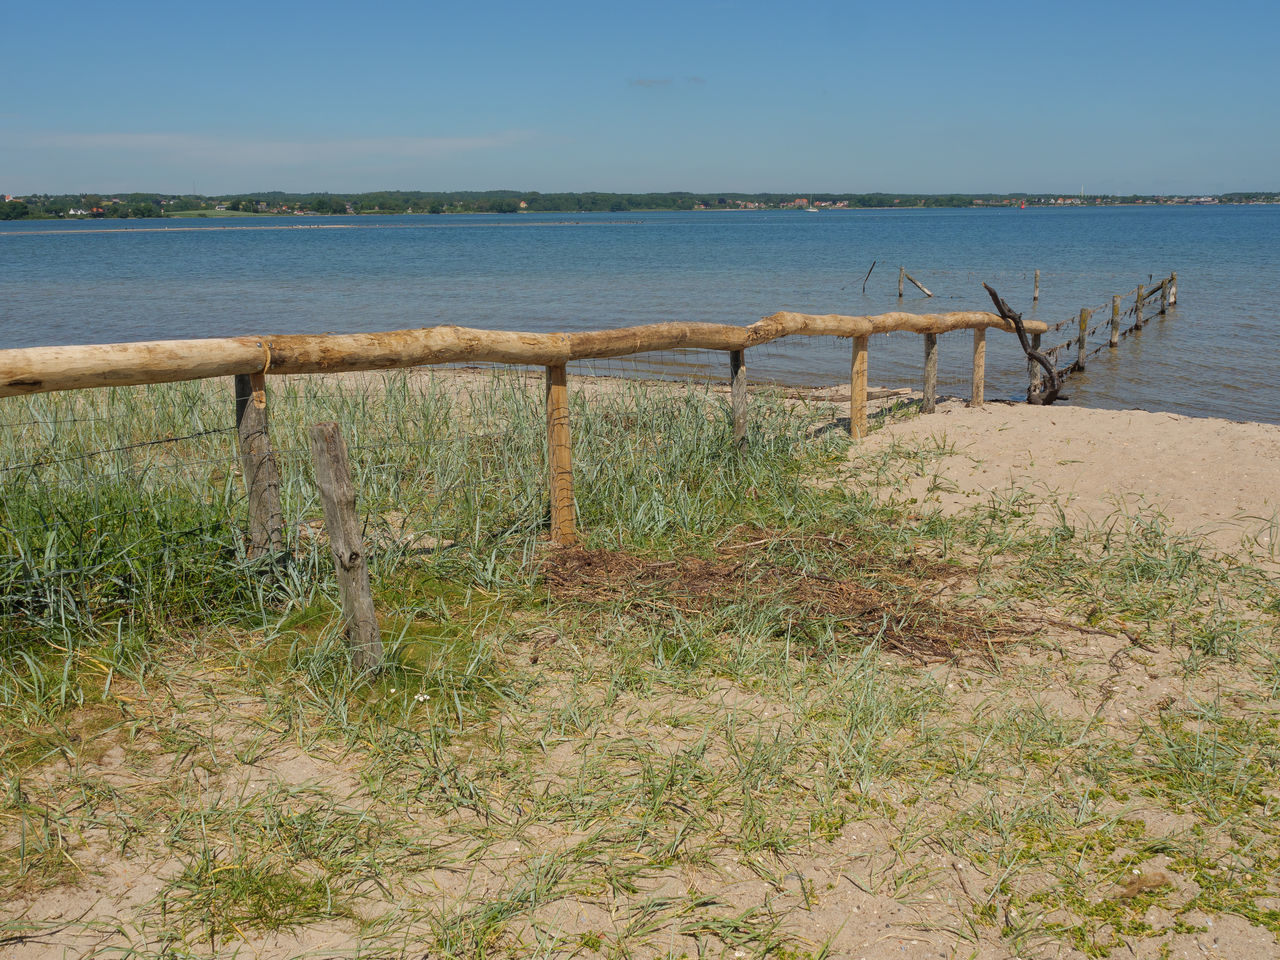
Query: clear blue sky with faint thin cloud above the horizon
x: 728, y: 95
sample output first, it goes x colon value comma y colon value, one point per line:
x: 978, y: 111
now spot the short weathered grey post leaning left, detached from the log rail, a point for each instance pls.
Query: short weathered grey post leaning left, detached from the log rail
x: 339, y: 499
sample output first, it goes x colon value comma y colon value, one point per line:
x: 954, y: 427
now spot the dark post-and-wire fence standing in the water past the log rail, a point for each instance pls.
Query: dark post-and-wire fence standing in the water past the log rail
x: 1148, y: 304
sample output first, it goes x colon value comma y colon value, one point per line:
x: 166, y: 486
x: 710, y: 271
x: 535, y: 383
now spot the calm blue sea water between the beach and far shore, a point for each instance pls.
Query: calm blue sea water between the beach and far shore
x: 1214, y: 355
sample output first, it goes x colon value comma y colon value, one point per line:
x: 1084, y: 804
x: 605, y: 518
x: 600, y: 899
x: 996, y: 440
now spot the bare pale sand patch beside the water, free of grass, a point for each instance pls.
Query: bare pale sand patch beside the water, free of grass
x: 1215, y: 479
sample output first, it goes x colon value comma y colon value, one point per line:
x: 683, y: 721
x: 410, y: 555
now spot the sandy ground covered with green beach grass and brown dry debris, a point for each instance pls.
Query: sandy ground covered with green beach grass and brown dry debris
x: 761, y: 712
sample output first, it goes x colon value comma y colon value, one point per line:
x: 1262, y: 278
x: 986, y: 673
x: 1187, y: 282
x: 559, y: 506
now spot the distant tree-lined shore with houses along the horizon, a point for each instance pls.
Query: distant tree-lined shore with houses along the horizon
x: 44, y: 207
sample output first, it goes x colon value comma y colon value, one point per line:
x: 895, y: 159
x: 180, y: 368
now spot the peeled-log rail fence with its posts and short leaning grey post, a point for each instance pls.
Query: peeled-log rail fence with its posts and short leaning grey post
x: 253, y: 360
